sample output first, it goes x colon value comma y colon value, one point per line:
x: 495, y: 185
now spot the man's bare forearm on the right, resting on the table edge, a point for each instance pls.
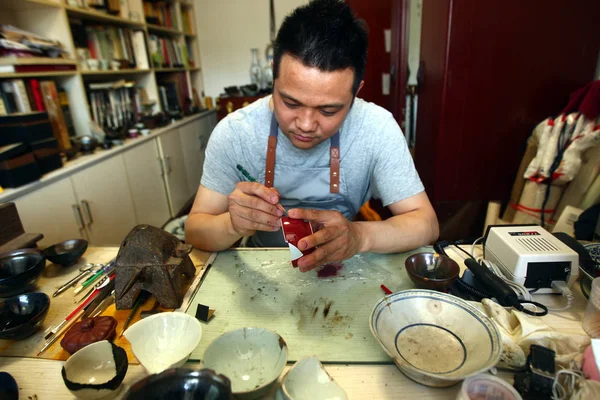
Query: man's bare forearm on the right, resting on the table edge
x: 400, y: 233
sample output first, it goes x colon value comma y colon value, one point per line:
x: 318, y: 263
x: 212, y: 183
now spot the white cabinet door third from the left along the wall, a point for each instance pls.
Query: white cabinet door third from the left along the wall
x: 145, y: 175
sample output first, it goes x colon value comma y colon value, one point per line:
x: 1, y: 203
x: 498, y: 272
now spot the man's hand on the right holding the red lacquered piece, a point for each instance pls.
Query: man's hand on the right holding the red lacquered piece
x: 337, y: 238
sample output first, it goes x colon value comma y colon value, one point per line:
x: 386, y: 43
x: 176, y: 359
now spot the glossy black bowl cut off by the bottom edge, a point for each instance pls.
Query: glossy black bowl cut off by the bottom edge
x: 179, y: 383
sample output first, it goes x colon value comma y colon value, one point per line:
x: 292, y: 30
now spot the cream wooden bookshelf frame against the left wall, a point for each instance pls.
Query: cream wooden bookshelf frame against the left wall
x: 64, y: 20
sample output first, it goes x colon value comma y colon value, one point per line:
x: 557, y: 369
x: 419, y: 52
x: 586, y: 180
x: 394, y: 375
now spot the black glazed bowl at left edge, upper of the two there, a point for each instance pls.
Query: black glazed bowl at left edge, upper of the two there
x: 20, y: 270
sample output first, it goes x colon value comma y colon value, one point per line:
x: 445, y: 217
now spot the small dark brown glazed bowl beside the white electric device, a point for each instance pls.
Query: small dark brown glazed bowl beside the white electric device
x: 432, y: 271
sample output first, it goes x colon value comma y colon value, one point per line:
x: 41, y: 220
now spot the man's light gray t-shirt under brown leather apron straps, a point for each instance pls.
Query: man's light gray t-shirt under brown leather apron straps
x: 374, y: 158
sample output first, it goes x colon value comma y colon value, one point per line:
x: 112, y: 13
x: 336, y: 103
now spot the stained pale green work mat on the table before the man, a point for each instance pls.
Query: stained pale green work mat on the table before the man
x: 326, y: 317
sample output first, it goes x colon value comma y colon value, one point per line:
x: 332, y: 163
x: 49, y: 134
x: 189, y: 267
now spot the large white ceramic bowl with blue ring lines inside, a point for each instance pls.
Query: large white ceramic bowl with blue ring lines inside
x: 434, y: 338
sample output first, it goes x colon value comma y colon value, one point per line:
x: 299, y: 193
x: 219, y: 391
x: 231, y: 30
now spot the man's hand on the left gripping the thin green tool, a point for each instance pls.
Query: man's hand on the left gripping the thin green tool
x: 252, y: 207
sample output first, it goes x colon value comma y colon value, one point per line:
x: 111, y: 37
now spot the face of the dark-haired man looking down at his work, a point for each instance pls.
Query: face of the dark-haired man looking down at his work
x: 310, y: 105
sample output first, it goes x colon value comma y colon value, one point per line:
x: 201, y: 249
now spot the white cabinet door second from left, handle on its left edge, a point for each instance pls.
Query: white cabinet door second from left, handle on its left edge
x: 106, y: 203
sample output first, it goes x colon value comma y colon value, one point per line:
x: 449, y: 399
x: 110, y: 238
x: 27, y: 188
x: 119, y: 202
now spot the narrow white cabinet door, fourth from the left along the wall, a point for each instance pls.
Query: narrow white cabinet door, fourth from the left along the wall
x: 176, y: 179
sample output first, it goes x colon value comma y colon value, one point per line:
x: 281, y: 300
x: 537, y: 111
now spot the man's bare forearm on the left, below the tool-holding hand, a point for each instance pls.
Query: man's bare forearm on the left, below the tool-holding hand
x: 210, y: 232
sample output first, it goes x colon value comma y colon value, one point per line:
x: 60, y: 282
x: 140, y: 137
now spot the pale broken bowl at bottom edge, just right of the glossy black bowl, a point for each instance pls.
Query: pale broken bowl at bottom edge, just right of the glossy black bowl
x: 308, y: 380
